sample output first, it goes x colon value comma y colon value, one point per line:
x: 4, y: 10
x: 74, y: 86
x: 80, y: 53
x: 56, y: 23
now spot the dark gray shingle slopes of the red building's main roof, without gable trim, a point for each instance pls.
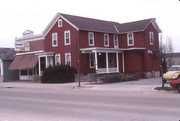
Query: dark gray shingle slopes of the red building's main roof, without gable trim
x: 90, y: 24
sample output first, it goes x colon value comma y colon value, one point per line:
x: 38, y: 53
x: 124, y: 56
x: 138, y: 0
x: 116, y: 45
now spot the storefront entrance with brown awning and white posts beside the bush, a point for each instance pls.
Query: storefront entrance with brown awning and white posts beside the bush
x: 32, y: 65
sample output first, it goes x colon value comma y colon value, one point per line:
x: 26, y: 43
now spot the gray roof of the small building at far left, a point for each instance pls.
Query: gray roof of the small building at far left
x: 7, y: 53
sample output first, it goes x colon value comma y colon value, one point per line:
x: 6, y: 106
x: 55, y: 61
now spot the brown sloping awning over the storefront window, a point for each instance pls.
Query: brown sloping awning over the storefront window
x: 22, y: 62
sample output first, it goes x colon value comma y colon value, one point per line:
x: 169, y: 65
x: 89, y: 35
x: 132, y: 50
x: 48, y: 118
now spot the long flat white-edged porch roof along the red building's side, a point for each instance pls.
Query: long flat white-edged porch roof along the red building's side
x: 102, y: 49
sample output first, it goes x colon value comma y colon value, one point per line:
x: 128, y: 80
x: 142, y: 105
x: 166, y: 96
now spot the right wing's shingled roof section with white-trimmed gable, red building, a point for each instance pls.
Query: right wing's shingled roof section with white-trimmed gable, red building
x: 137, y: 26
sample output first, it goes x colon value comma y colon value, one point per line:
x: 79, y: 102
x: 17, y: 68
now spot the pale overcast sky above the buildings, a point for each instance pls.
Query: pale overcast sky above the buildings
x: 16, y: 16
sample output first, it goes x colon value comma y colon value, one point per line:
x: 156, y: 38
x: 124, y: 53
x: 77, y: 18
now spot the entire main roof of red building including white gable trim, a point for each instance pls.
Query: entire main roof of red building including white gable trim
x: 89, y: 24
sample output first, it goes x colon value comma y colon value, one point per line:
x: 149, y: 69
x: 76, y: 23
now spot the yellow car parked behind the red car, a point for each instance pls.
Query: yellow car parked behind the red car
x: 172, y: 74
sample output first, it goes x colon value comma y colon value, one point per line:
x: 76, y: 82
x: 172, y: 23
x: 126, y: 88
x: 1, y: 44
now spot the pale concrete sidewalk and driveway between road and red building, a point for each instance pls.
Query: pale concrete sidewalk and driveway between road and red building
x: 140, y: 85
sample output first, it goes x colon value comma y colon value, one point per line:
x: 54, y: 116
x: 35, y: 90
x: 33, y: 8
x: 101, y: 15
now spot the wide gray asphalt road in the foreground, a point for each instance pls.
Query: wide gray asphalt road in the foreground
x: 26, y: 104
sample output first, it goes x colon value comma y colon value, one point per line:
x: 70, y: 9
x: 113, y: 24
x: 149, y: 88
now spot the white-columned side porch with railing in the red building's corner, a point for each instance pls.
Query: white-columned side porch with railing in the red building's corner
x: 103, y: 60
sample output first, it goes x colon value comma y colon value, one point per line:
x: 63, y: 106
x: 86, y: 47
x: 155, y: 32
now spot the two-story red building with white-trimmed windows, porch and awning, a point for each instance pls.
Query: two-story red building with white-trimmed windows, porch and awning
x: 90, y: 45
